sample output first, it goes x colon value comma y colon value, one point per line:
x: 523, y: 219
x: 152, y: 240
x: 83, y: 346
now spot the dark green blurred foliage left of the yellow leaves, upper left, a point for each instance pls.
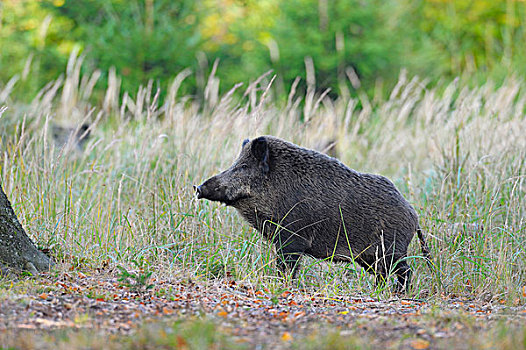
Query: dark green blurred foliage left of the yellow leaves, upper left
x: 143, y: 39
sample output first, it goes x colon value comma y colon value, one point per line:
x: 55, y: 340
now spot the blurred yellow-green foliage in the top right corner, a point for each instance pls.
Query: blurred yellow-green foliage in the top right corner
x: 479, y: 39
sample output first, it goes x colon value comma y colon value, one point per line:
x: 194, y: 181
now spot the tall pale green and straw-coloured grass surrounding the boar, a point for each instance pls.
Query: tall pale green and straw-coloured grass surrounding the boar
x: 125, y: 200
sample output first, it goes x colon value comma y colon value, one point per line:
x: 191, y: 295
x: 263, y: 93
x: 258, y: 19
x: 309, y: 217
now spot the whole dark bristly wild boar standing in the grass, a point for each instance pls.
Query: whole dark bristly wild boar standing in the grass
x: 308, y: 203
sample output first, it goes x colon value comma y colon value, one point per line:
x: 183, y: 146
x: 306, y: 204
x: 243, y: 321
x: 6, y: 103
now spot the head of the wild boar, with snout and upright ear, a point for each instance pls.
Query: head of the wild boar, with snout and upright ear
x: 243, y: 179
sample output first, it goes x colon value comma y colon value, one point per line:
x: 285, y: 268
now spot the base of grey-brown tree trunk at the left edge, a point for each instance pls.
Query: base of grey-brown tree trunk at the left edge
x: 17, y: 251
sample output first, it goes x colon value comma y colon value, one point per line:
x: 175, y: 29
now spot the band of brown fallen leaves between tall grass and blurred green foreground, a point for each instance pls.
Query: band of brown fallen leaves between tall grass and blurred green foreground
x: 100, y: 301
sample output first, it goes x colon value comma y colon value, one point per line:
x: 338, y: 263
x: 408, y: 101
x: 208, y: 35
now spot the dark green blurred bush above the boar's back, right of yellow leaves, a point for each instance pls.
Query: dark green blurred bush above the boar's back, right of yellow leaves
x: 337, y: 35
